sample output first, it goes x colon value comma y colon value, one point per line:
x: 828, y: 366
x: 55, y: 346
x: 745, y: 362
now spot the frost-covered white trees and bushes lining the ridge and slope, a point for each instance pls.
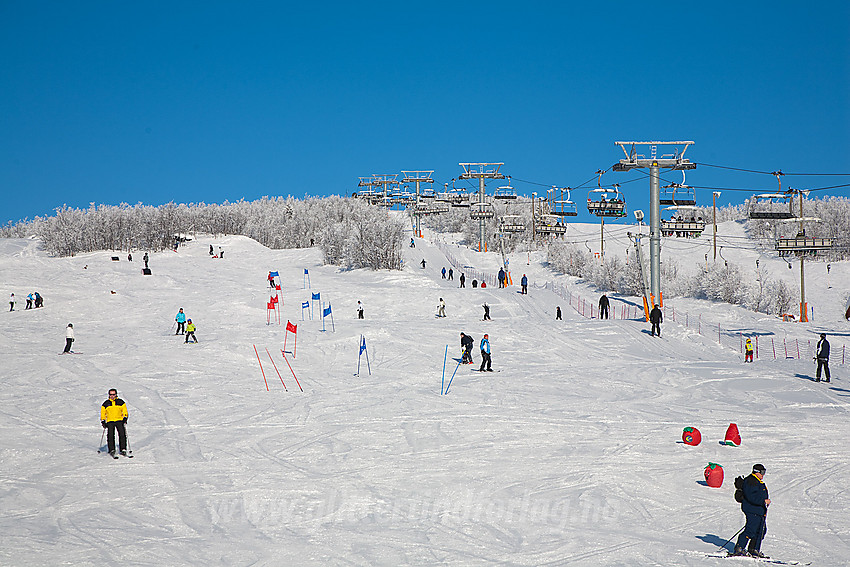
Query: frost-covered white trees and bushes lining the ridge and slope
x: 353, y: 234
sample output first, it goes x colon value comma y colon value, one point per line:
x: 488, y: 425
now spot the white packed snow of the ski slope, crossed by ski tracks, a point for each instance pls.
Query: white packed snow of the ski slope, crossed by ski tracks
x: 570, y: 454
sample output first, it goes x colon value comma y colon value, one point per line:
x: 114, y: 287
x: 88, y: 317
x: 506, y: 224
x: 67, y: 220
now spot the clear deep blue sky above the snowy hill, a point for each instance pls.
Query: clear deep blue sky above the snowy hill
x: 112, y: 102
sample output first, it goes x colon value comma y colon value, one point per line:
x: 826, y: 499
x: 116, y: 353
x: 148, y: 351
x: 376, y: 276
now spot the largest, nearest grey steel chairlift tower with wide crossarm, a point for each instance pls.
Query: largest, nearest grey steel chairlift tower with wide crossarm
x: 675, y: 161
